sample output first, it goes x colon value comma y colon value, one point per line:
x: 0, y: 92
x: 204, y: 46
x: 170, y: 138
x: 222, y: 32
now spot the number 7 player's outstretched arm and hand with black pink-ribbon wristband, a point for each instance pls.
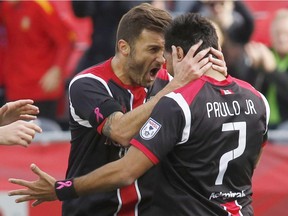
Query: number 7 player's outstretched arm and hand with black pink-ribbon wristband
x: 111, y: 176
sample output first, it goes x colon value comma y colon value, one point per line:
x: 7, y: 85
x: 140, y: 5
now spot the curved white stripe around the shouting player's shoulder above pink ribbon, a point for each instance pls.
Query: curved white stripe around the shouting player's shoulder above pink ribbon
x: 76, y: 118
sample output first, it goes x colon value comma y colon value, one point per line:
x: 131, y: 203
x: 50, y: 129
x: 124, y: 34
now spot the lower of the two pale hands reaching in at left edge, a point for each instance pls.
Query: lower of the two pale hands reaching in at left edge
x: 18, y: 133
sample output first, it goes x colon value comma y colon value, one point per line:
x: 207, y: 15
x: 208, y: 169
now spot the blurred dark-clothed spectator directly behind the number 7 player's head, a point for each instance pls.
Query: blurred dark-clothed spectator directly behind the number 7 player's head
x: 237, y: 24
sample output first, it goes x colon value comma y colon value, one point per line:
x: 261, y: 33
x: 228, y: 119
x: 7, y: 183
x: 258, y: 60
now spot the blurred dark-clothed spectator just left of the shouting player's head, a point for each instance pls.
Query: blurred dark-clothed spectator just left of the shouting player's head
x: 105, y: 16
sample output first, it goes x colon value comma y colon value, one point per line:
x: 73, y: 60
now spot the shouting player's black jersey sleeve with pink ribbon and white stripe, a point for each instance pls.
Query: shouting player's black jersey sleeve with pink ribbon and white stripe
x: 91, y: 102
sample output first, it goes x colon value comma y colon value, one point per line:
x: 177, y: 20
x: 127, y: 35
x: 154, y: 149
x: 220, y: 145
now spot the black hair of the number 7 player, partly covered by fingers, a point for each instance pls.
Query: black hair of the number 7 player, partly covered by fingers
x: 187, y: 30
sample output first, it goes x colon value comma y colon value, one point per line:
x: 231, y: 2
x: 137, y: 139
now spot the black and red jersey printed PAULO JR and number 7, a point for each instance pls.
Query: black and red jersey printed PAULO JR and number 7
x: 206, y: 137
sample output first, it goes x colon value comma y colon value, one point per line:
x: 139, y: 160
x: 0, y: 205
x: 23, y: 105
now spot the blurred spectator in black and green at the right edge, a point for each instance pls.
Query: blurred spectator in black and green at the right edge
x: 273, y: 63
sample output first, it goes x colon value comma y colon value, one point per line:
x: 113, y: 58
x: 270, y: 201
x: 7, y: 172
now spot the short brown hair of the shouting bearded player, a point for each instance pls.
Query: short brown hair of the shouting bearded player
x: 143, y: 16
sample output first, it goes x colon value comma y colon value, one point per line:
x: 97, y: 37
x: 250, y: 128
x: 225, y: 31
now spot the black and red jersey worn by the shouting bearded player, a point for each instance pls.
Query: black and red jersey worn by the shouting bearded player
x: 94, y: 94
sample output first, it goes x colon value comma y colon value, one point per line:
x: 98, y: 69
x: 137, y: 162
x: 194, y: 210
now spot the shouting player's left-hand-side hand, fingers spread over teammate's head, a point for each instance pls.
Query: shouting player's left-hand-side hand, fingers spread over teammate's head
x: 190, y: 67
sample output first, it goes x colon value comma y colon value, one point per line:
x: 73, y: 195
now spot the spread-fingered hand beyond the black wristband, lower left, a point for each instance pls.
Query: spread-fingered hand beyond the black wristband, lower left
x: 41, y: 190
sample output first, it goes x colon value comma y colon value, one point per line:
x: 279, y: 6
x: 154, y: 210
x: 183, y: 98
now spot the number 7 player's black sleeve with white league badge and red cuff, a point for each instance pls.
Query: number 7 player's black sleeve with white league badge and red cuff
x: 162, y: 131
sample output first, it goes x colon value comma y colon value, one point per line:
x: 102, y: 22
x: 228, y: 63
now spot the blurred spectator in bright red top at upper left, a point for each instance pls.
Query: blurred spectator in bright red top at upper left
x: 39, y: 44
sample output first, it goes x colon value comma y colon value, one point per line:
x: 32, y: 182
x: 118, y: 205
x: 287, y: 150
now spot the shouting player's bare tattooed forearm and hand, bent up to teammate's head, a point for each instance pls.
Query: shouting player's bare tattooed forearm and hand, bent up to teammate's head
x: 122, y: 127
